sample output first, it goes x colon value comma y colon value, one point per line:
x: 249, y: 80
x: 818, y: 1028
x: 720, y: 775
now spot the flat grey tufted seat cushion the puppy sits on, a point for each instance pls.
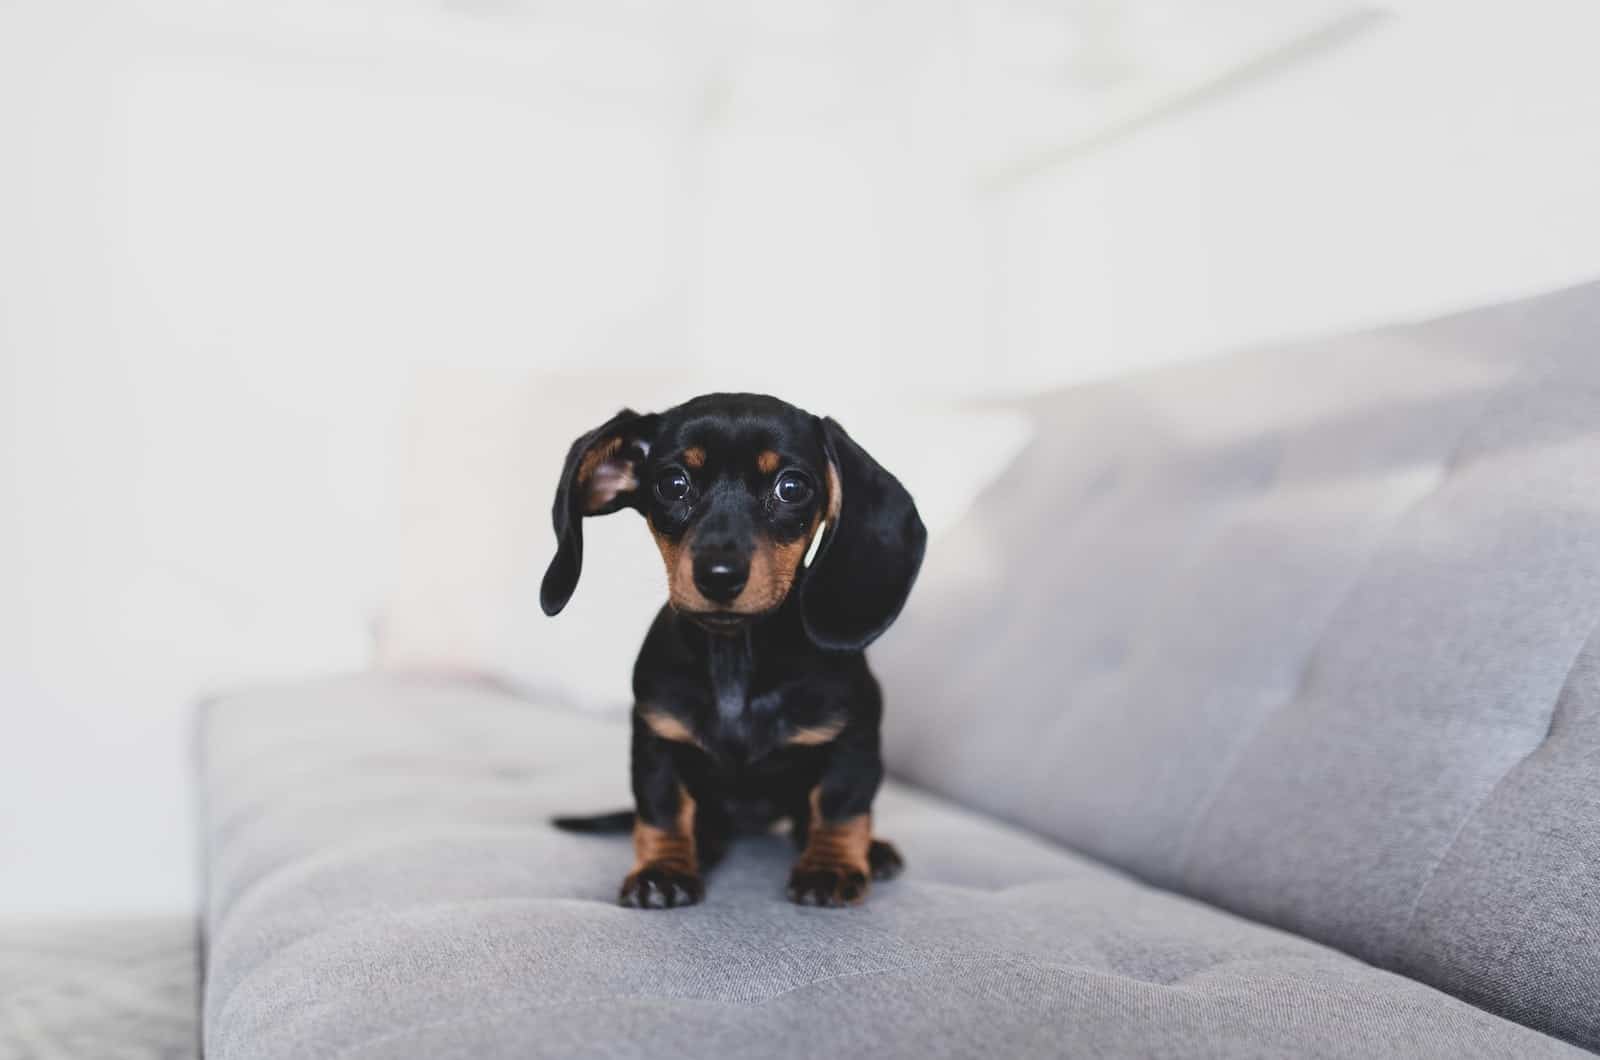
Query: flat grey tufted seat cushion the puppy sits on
x: 383, y: 883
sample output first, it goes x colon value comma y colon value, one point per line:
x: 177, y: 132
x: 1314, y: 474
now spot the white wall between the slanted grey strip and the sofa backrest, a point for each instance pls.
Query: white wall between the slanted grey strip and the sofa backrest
x: 1447, y: 158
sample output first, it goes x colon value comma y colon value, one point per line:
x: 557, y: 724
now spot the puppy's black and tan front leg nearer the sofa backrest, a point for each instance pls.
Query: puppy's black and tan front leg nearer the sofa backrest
x: 841, y: 856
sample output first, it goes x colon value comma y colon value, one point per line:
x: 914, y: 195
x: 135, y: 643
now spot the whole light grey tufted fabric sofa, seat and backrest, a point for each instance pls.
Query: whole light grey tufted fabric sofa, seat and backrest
x: 1254, y: 712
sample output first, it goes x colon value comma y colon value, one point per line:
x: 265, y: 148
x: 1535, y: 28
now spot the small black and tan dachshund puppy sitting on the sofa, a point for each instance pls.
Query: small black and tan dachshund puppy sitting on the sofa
x: 753, y: 701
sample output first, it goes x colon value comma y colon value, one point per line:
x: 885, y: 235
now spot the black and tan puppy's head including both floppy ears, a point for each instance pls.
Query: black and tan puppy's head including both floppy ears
x: 735, y: 488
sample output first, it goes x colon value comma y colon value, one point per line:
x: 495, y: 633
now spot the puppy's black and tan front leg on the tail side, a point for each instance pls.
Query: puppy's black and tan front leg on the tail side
x: 666, y: 864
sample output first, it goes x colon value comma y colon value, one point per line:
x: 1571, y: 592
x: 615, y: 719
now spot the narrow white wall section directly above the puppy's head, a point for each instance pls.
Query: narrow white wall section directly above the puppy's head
x: 841, y: 233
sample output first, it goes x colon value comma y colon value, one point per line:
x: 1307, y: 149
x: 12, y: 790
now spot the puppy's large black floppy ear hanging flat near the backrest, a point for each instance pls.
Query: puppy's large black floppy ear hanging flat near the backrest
x: 870, y: 555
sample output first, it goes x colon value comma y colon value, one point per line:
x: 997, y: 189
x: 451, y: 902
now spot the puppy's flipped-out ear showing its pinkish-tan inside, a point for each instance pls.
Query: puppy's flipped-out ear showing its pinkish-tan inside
x: 601, y: 476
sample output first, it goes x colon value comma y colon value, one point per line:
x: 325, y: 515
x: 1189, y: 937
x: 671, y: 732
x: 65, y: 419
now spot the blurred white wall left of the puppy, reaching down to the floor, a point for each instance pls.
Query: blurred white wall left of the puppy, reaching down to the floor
x: 228, y: 251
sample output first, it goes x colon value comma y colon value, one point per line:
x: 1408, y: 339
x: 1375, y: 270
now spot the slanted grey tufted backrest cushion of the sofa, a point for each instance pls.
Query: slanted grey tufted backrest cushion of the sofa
x: 1310, y: 635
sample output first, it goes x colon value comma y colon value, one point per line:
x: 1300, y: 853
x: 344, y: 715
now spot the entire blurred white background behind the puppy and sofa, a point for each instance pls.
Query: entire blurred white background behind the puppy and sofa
x: 242, y: 244
